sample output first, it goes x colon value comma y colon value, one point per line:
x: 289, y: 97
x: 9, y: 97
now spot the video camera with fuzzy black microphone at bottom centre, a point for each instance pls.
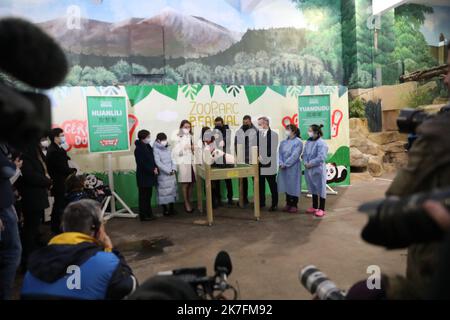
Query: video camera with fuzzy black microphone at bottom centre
x: 208, y: 287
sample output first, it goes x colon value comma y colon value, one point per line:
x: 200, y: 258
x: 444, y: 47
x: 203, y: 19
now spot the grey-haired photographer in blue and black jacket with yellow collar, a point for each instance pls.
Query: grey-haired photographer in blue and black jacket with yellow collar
x: 80, y: 263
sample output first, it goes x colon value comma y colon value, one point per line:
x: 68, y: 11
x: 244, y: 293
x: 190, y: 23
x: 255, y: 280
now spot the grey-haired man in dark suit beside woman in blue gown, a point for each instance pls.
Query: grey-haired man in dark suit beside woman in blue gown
x: 267, y: 148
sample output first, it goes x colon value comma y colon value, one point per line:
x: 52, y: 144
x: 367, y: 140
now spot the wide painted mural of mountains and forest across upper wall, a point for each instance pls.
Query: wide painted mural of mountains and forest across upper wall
x: 241, y: 42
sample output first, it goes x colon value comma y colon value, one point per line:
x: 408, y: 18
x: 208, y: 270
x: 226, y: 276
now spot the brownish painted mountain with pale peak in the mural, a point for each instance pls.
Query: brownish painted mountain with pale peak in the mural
x: 169, y: 33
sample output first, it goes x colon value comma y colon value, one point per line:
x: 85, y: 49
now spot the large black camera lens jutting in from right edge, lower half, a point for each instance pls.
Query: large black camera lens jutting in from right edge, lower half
x: 399, y: 222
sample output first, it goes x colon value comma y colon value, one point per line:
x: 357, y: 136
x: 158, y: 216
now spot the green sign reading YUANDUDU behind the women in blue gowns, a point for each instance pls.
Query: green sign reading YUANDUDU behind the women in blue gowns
x: 314, y: 109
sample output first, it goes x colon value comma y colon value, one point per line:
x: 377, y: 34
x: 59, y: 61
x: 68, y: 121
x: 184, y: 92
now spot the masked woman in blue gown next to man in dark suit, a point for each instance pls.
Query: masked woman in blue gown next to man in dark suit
x: 290, y: 174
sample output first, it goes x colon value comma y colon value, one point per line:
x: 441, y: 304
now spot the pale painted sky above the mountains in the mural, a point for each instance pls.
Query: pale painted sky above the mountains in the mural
x: 236, y: 15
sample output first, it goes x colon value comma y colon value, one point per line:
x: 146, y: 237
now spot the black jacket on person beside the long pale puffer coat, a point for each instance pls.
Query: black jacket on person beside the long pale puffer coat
x: 145, y: 165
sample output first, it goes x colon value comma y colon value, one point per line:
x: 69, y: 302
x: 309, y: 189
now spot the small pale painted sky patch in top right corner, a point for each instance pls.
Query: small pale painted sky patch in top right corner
x: 437, y: 23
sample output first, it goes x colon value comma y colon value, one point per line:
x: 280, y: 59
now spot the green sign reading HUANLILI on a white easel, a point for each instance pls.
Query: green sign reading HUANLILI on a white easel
x: 107, y: 124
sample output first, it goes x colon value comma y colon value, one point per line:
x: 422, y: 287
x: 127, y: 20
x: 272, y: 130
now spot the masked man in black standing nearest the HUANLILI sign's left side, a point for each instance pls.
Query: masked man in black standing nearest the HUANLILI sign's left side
x: 59, y: 170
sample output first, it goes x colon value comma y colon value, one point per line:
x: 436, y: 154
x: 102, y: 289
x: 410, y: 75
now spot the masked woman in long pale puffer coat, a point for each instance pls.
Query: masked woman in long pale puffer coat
x: 167, y: 181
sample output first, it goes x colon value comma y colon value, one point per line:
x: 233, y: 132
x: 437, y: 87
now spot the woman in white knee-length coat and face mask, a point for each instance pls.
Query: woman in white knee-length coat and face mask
x: 183, y: 154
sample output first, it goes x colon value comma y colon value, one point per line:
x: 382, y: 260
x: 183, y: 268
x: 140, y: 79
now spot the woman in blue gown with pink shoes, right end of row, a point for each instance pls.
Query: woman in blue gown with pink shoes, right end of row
x: 314, y: 157
